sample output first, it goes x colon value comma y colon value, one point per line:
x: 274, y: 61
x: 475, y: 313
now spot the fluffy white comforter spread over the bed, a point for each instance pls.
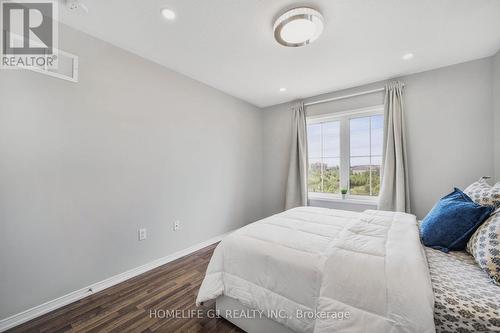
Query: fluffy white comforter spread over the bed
x: 324, y: 263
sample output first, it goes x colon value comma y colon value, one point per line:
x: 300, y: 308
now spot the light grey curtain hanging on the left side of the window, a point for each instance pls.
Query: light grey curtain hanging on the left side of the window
x: 296, y: 187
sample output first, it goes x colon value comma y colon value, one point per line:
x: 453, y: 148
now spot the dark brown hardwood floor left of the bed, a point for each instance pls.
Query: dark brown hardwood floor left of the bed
x: 127, y: 307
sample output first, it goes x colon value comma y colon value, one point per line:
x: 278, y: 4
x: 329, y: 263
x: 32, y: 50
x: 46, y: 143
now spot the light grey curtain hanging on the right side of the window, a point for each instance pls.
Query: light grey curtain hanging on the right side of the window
x: 394, y: 193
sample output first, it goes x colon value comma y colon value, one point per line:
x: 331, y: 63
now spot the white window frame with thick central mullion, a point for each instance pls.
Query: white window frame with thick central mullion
x: 344, y: 117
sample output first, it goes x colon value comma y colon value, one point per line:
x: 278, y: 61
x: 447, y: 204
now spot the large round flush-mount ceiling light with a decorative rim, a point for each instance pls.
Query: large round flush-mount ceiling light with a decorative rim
x: 298, y: 27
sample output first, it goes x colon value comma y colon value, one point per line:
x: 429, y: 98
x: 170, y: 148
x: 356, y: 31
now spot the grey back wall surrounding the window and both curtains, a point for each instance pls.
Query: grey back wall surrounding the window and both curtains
x: 450, y: 132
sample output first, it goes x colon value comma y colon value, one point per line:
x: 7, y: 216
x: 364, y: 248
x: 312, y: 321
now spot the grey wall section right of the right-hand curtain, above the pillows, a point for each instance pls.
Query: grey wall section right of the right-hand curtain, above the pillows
x: 450, y: 132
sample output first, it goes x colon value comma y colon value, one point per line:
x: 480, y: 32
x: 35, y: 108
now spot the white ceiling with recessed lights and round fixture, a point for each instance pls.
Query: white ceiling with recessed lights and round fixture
x: 229, y: 44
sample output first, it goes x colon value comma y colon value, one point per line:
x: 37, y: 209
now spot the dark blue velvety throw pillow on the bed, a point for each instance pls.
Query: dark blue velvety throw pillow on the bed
x: 451, y: 222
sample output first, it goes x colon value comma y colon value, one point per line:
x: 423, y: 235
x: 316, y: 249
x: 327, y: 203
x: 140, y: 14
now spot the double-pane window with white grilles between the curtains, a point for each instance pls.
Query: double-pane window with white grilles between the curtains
x: 345, y: 151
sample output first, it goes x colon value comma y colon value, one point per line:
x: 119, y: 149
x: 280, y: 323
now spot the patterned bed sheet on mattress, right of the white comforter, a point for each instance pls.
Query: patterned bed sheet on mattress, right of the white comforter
x: 466, y: 300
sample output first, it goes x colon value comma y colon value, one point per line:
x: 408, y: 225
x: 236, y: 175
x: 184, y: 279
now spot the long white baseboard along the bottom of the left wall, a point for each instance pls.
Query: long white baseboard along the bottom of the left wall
x: 76, y: 295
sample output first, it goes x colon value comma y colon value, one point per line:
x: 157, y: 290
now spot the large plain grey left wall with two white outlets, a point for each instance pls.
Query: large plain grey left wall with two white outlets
x: 83, y: 166
